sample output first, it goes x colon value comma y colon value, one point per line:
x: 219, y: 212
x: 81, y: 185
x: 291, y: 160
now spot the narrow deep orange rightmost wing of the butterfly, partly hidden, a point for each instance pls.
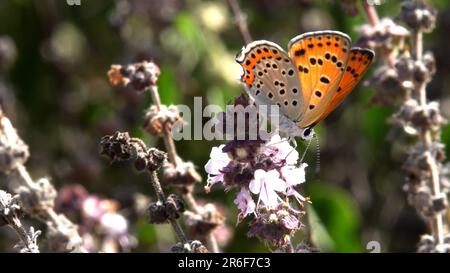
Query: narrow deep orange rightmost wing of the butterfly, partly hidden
x: 358, y: 62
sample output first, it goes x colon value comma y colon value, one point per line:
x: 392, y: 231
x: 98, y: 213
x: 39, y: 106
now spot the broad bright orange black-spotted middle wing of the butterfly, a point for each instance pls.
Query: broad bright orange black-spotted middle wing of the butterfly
x: 320, y: 58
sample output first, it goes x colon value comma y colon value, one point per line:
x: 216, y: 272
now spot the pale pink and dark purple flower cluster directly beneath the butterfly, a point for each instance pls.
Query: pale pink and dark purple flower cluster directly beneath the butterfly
x: 266, y: 175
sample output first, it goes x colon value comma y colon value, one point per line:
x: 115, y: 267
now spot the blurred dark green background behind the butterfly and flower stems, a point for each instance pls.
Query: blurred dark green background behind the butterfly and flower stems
x: 58, y: 96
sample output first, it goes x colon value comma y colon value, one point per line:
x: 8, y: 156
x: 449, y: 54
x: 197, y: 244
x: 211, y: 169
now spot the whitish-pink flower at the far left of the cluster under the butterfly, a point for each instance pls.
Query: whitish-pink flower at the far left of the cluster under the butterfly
x: 218, y: 160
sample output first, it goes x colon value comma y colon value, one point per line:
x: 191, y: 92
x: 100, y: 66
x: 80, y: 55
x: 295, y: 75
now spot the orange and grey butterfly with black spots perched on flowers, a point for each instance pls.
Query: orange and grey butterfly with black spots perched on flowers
x: 307, y: 83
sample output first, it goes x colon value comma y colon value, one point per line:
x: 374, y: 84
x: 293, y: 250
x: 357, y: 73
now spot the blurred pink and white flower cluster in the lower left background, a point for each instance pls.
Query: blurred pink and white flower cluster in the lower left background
x: 102, y: 227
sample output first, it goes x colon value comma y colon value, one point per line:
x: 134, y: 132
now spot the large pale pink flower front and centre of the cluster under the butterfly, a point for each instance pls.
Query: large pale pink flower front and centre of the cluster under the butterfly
x: 266, y: 184
